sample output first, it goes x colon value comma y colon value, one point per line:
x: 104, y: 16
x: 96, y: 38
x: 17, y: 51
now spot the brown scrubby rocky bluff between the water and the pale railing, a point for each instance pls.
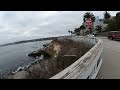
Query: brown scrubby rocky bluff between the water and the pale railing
x: 50, y: 60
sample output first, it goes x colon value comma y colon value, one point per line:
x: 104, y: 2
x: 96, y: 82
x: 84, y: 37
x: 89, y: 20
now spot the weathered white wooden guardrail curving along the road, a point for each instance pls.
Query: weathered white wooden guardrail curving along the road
x: 88, y: 65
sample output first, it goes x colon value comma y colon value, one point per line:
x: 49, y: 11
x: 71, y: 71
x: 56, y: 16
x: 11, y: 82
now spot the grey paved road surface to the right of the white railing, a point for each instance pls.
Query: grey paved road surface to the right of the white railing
x: 110, y: 68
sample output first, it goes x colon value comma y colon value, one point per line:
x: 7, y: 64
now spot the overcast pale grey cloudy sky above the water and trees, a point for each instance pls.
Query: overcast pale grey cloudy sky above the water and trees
x: 23, y: 25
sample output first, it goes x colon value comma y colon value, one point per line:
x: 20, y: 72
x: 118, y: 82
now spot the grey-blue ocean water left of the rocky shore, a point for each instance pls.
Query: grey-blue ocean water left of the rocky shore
x: 14, y: 56
